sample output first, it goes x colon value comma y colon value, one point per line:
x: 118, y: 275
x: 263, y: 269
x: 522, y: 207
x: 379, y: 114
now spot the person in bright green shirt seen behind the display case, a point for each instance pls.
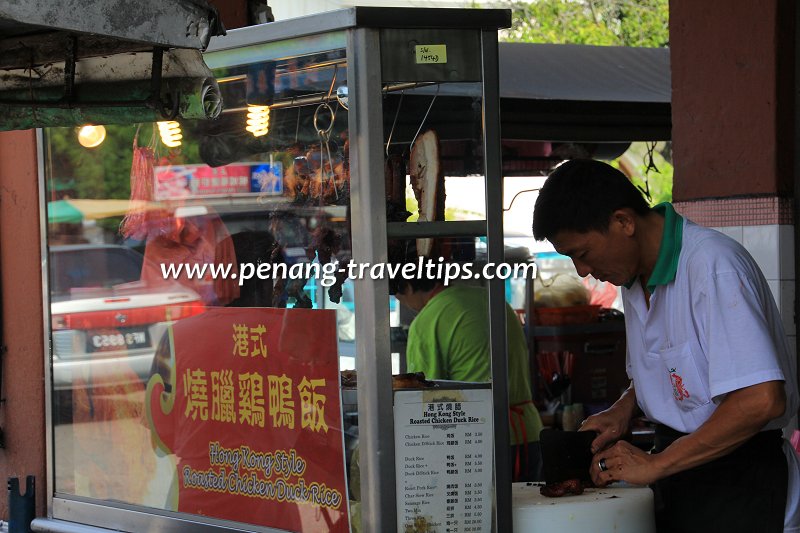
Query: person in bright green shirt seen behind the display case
x: 449, y: 339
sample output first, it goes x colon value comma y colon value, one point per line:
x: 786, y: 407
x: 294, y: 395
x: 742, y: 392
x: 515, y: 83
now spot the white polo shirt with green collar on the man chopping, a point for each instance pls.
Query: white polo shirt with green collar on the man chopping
x: 714, y: 329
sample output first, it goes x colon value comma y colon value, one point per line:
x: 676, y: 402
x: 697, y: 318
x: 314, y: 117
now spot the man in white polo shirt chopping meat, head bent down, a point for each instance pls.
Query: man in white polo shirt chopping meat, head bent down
x: 707, y: 356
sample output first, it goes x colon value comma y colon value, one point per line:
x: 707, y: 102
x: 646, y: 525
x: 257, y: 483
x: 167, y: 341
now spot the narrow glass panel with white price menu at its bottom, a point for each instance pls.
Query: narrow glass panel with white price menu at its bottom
x: 433, y: 135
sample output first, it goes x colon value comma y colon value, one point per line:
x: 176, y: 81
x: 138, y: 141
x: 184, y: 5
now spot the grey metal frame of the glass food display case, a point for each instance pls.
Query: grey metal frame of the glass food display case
x: 359, y: 31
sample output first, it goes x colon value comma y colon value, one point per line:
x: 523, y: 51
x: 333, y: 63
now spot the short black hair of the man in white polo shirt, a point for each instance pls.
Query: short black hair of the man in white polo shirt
x: 581, y: 195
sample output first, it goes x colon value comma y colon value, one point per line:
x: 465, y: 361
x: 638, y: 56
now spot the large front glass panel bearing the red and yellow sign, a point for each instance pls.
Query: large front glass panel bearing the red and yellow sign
x: 197, y: 317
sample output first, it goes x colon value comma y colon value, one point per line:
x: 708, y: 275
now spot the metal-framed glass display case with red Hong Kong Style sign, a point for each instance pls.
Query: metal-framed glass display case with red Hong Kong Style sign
x: 343, y: 136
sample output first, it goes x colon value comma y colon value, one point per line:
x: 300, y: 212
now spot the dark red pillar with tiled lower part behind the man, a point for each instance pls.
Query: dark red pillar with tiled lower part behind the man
x: 733, y: 115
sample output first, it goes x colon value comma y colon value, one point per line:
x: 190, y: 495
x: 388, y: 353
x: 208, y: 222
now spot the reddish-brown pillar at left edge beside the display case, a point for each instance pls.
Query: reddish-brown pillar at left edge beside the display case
x: 22, y: 414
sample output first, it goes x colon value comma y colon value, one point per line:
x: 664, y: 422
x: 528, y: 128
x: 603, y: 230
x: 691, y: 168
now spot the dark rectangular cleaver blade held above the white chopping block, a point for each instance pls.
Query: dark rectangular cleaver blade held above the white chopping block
x: 566, y: 454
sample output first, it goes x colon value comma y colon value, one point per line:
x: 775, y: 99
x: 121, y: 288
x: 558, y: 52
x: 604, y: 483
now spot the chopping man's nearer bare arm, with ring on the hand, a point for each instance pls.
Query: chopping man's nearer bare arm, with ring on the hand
x: 742, y: 414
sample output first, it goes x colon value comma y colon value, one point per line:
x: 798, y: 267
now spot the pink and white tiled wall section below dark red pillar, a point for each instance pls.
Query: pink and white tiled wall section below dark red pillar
x: 765, y: 227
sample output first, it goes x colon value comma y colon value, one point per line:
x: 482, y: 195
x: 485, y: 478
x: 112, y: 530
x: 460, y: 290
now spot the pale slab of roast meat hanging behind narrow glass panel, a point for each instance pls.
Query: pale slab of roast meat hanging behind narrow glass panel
x: 427, y: 180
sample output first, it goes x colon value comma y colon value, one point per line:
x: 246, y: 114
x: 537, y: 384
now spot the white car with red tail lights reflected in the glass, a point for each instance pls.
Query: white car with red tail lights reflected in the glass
x: 106, y: 324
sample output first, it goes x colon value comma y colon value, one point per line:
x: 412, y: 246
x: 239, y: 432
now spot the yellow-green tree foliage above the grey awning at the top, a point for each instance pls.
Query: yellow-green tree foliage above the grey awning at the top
x: 643, y: 23
